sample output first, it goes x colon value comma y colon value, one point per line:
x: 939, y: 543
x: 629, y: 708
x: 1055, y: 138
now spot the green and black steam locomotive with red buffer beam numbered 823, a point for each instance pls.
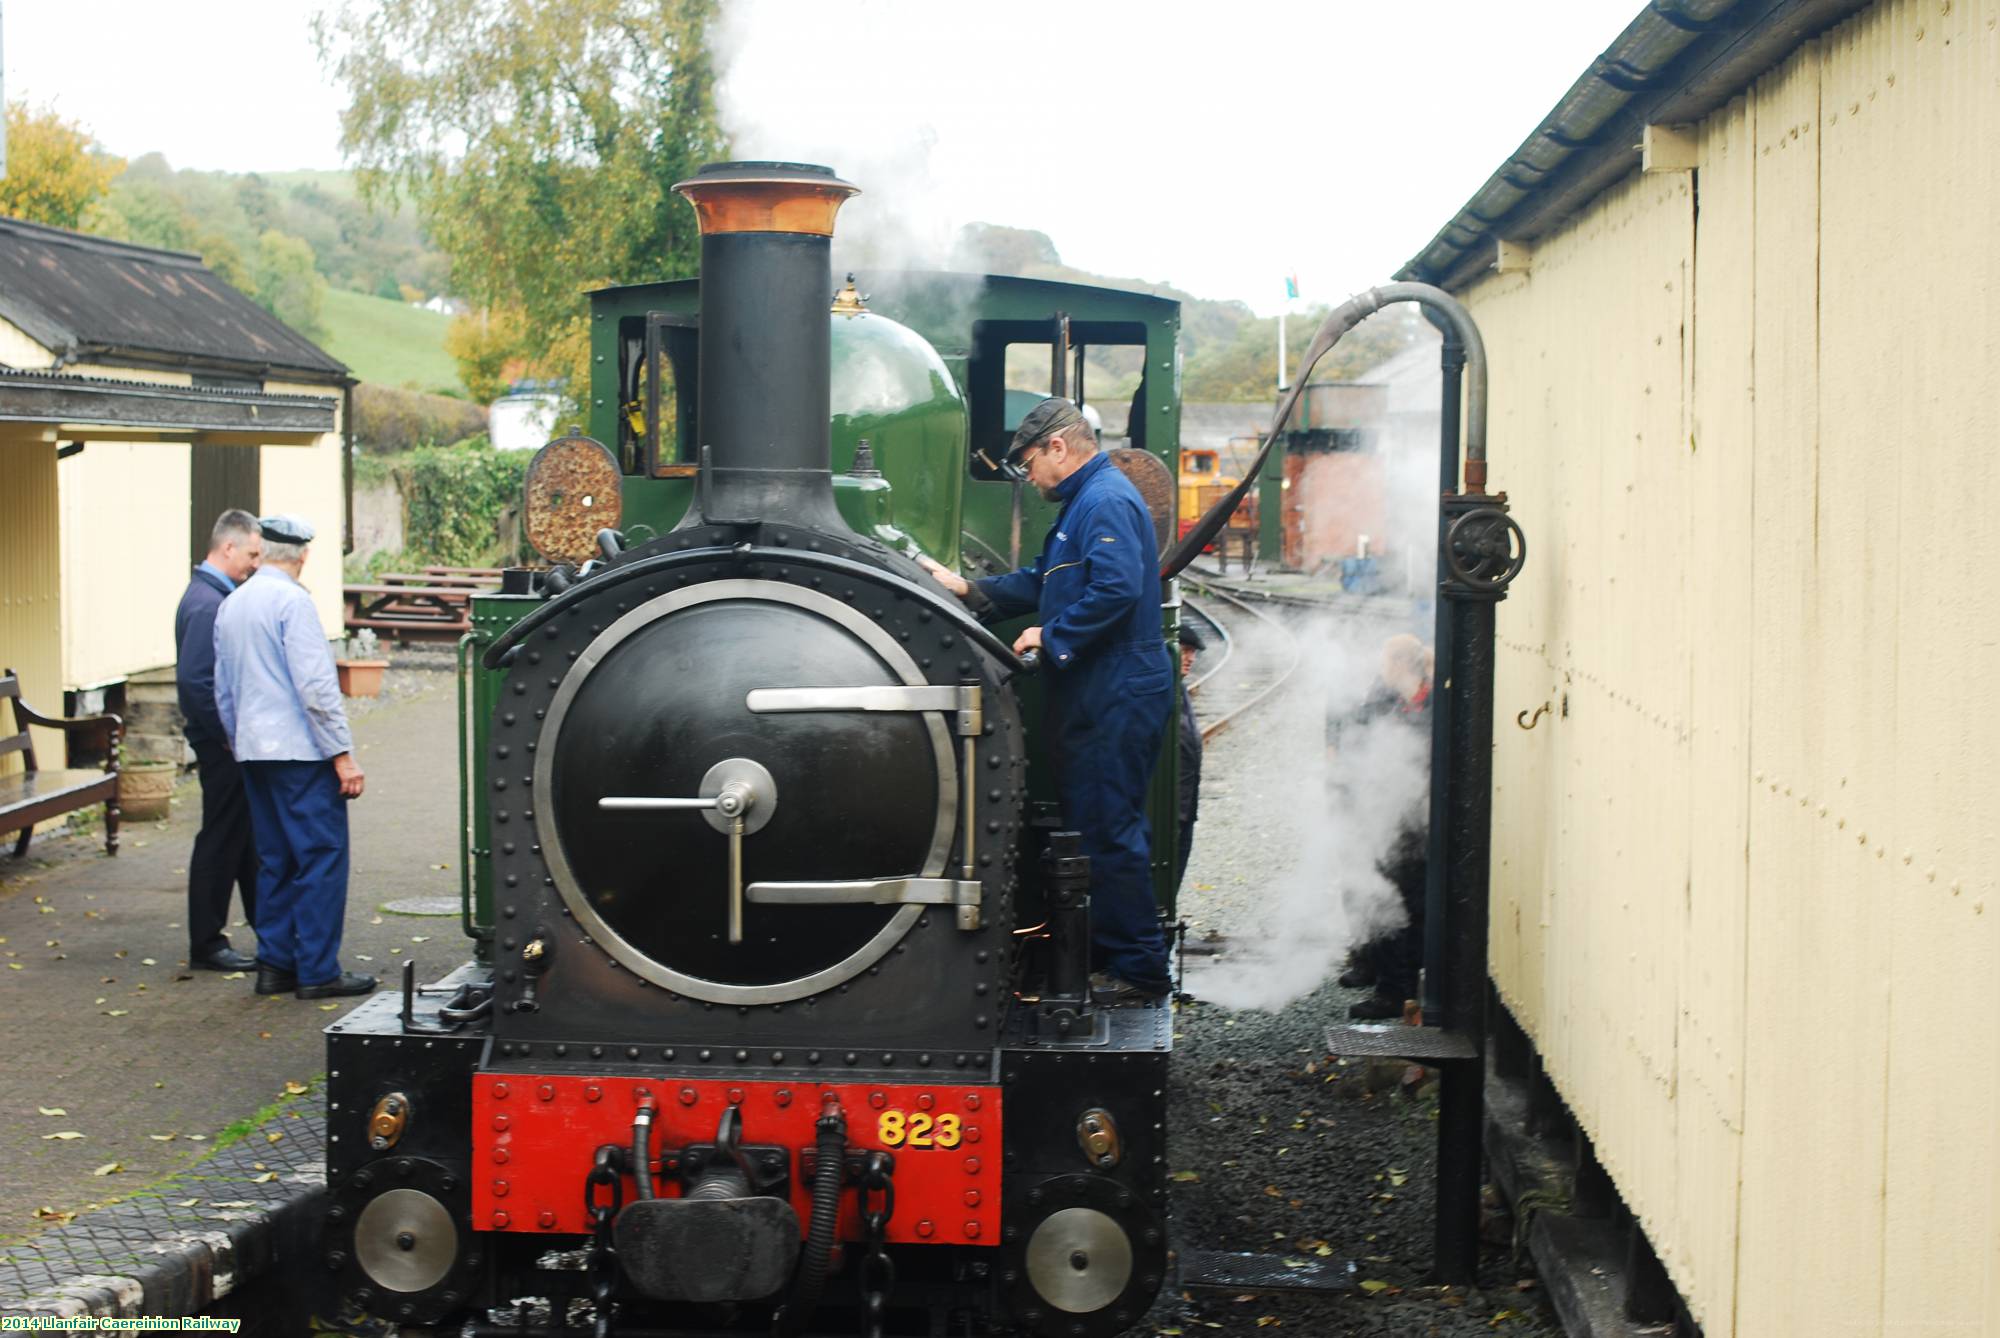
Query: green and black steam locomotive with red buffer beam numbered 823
x: 779, y: 1013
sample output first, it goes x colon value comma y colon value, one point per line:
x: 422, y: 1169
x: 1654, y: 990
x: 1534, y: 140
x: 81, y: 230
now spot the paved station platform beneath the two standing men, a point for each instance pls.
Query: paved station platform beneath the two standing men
x: 197, y: 1103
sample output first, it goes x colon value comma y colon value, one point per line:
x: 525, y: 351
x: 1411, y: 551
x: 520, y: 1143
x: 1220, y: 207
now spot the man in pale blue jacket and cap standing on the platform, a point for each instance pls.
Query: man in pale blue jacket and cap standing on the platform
x: 279, y: 699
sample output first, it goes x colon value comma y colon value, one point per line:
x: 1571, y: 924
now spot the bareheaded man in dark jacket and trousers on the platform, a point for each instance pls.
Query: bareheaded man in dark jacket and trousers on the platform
x: 225, y: 851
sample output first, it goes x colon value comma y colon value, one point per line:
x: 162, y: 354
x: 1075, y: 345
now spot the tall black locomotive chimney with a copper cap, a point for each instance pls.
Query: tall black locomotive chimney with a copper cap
x: 767, y: 341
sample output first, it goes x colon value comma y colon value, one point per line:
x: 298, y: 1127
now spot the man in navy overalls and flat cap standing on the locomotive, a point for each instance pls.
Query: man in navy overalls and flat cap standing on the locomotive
x: 1097, y: 587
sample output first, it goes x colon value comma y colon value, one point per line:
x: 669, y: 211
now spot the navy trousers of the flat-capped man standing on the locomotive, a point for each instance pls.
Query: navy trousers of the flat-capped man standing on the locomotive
x: 1107, y: 745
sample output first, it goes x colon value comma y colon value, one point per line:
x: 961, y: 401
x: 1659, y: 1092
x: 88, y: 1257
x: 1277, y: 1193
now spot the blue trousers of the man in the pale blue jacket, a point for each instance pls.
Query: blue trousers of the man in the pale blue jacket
x: 303, y: 867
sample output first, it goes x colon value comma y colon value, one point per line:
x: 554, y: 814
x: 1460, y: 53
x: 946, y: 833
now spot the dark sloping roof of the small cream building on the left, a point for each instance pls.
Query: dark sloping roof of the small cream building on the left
x: 87, y: 297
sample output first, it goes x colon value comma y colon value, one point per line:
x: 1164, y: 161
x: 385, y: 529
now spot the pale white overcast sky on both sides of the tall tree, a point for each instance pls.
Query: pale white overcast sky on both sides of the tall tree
x: 1213, y: 147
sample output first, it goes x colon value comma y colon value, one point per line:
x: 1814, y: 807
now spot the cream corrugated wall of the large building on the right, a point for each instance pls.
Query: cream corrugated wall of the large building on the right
x: 1745, y: 891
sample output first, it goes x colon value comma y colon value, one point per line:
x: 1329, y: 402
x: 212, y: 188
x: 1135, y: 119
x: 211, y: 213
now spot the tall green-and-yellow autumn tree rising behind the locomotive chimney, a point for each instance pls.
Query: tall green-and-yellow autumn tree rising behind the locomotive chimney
x: 539, y: 143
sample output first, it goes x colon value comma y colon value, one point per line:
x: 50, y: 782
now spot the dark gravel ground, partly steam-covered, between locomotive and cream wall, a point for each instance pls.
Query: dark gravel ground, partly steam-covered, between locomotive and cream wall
x: 1277, y: 1147
